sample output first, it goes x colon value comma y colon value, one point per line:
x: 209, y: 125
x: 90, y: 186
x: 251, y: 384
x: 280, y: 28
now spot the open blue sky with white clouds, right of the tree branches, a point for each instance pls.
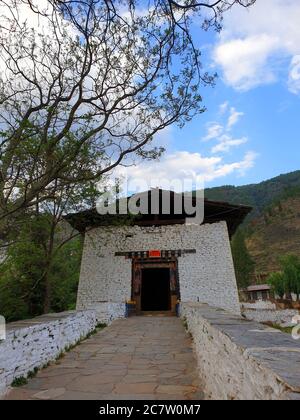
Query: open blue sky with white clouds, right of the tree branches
x: 251, y: 129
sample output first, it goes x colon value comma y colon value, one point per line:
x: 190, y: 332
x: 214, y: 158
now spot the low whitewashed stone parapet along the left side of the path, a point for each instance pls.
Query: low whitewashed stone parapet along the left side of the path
x: 33, y: 343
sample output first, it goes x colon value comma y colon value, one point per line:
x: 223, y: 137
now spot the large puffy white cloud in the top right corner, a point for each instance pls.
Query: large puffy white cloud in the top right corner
x: 254, y: 42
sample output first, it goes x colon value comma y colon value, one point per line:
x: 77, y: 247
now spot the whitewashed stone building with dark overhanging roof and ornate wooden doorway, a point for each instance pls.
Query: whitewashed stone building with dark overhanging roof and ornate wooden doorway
x: 157, y: 260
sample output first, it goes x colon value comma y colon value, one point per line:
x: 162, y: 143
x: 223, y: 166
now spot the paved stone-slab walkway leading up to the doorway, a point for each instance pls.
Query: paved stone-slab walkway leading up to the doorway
x: 135, y: 358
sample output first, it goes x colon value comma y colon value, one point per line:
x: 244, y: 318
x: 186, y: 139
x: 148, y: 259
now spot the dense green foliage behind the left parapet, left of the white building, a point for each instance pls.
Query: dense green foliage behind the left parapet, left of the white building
x: 24, y: 287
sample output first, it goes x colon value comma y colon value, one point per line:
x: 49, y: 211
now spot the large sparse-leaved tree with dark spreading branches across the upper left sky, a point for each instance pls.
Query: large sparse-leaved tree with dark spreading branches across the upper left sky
x: 96, y: 74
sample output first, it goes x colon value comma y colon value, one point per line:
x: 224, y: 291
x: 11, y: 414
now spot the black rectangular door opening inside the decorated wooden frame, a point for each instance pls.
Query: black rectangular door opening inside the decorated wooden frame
x: 156, y: 294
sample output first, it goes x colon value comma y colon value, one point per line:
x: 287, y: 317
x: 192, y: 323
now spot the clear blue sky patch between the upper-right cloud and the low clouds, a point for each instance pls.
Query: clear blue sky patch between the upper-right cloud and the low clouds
x: 270, y: 122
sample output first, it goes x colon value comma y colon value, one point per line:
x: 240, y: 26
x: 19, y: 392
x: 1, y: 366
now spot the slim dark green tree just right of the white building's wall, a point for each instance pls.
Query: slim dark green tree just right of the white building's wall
x: 244, y: 265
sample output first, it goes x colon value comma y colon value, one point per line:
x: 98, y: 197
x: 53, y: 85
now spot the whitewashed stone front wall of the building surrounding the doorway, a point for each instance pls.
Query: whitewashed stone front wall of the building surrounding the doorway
x: 206, y: 276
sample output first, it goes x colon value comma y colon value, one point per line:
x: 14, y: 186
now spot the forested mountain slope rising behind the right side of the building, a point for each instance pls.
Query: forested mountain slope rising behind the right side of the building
x: 273, y: 228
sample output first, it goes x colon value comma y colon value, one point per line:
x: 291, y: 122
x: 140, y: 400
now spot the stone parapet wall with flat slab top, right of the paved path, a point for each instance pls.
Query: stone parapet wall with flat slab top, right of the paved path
x: 240, y: 359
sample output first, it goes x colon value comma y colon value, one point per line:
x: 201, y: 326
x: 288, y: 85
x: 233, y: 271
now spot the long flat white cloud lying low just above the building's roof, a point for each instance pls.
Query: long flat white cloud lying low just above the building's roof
x: 184, y: 165
